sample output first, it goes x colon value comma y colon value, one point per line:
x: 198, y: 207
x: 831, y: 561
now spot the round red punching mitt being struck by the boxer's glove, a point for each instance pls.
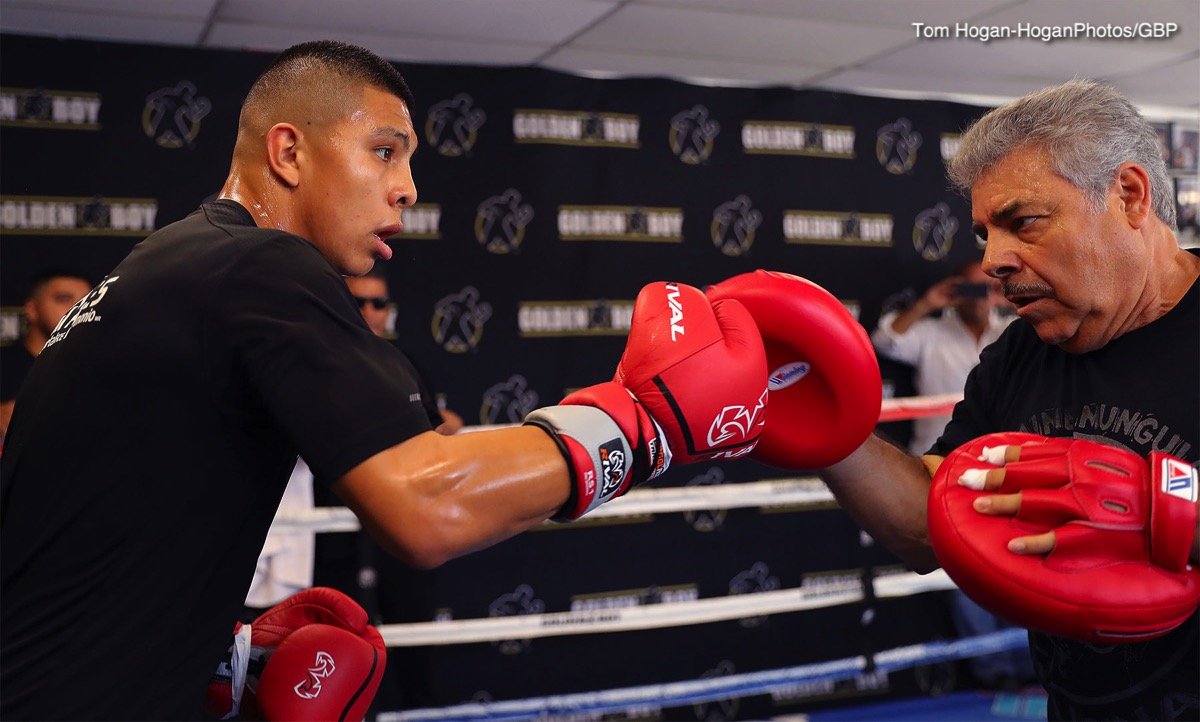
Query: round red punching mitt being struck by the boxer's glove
x: 825, y: 380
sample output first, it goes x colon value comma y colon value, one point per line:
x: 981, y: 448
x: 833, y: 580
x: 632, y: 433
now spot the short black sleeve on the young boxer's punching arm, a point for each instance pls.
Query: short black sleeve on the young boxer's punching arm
x: 333, y: 388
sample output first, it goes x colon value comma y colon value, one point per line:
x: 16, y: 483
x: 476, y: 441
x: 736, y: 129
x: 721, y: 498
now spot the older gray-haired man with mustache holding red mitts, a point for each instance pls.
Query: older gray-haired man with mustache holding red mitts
x: 1072, y: 196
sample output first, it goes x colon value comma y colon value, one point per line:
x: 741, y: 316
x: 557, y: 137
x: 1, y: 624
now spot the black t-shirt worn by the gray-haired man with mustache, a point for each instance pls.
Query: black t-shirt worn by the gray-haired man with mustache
x: 1142, y: 392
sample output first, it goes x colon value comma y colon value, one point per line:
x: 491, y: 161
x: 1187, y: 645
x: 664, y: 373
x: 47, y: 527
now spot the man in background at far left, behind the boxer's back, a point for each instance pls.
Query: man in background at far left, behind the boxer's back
x: 52, y: 293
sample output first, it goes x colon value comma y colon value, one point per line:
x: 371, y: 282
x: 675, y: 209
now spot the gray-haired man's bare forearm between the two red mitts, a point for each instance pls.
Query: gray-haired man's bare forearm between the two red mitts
x: 885, y: 490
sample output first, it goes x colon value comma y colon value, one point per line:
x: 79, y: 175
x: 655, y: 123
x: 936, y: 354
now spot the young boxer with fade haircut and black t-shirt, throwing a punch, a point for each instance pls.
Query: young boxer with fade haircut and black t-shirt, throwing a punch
x: 173, y: 400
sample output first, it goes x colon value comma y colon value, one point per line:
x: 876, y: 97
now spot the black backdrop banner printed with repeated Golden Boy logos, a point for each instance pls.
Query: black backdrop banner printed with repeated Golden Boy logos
x: 547, y: 201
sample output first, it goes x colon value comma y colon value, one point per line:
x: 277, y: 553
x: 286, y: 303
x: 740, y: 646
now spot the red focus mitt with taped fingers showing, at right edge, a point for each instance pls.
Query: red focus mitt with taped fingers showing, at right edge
x: 1124, y: 528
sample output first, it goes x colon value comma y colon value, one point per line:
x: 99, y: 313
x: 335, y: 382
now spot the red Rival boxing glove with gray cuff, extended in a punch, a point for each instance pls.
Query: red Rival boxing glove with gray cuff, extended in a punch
x: 692, y: 386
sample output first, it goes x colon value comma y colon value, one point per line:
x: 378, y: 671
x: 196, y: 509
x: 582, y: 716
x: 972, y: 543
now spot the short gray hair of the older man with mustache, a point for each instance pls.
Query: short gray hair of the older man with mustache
x: 1088, y: 128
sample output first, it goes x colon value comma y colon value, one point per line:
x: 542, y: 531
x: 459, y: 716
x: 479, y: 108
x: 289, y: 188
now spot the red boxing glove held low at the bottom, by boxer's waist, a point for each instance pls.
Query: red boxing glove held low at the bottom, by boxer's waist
x: 313, y: 657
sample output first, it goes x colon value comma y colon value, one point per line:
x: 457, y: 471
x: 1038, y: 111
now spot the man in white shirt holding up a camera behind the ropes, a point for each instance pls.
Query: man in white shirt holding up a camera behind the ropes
x: 941, y: 336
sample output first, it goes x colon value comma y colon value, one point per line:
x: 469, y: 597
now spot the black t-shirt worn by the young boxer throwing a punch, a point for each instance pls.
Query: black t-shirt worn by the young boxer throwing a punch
x: 137, y: 491
